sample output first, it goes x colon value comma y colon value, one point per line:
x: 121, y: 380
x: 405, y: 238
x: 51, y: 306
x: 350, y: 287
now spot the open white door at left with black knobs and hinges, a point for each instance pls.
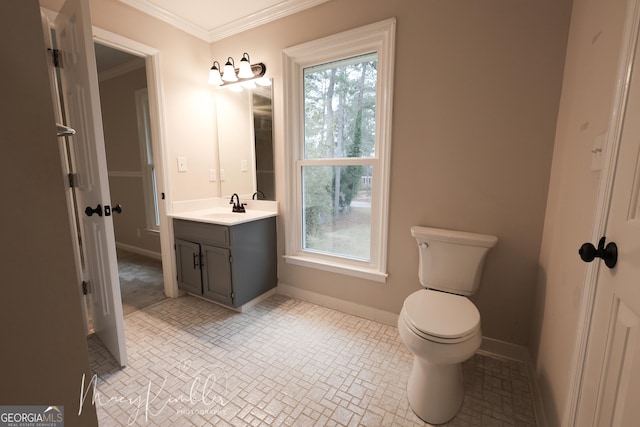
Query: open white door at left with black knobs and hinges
x: 82, y: 107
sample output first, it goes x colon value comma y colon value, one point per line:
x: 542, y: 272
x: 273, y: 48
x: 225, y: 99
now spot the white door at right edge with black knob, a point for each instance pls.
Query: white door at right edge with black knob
x: 610, y: 392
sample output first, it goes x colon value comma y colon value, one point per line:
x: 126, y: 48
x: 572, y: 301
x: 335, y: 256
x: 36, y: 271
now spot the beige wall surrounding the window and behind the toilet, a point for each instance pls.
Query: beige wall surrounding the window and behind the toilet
x: 476, y: 97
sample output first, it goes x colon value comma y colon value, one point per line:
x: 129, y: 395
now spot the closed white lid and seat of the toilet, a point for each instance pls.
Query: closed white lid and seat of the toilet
x: 440, y: 316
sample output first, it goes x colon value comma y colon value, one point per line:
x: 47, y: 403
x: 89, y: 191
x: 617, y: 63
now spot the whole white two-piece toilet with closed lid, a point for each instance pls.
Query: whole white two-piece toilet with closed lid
x: 439, y: 324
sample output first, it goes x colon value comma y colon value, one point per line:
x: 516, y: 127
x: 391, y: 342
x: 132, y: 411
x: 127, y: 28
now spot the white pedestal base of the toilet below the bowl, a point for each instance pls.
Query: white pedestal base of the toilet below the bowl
x: 435, y: 392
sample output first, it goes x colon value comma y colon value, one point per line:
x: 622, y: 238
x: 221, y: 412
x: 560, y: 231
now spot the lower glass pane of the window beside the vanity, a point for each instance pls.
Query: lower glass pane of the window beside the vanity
x: 337, y: 222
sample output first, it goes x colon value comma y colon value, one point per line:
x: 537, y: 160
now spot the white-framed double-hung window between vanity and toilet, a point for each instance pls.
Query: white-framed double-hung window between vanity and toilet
x: 339, y: 102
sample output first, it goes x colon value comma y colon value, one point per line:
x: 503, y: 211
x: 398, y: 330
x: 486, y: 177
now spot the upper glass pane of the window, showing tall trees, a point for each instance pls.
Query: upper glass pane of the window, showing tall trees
x: 340, y: 108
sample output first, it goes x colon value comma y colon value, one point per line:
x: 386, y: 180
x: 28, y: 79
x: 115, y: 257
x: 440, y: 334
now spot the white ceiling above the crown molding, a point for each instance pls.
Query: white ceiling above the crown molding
x: 212, y: 20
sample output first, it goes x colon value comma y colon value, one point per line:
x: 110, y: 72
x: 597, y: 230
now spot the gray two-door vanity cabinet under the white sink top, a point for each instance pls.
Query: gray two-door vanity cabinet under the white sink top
x: 230, y: 265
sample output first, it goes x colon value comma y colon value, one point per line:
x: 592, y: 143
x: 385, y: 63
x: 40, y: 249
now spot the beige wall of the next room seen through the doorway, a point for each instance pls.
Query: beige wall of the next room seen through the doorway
x: 120, y: 121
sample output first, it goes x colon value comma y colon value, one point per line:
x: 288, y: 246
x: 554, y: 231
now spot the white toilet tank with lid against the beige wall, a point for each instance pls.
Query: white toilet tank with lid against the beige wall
x: 450, y: 260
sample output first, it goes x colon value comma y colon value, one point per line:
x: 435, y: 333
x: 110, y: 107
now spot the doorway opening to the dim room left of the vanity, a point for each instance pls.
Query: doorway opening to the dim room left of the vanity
x: 131, y: 168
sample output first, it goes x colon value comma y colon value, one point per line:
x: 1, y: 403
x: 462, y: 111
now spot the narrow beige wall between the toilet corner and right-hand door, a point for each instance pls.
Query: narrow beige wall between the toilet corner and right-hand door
x: 587, y: 95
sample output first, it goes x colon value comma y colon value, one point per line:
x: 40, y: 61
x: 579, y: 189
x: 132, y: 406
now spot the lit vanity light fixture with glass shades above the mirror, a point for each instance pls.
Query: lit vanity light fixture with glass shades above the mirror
x: 247, y: 75
